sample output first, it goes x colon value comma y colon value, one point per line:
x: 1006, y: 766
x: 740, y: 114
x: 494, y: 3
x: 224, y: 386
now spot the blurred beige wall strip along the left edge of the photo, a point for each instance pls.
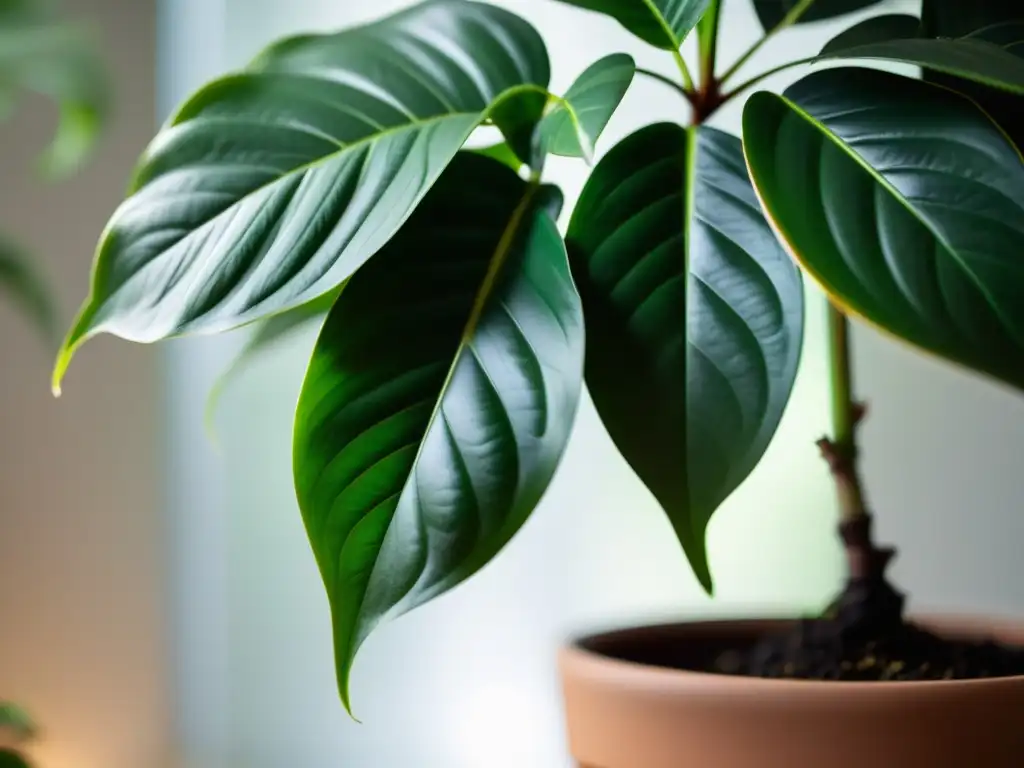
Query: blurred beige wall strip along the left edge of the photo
x: 81, y: 599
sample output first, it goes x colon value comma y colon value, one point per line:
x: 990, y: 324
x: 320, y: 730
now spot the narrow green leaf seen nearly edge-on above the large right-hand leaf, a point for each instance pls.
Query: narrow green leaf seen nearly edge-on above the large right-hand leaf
x: 895, y: 38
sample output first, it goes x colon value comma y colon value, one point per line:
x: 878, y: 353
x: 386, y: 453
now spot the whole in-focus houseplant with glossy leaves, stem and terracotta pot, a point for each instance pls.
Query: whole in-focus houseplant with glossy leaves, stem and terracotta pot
x: 441, y: 395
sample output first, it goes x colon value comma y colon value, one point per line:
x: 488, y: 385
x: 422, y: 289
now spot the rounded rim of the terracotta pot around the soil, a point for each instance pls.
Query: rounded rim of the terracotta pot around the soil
x: 576, y: 654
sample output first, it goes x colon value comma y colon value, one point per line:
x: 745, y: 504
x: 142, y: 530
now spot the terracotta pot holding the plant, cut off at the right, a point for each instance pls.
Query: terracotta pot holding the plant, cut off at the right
x: 624, y: 714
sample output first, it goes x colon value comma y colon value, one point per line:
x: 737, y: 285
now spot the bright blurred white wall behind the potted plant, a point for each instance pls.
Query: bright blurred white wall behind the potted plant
x: 470, y: 681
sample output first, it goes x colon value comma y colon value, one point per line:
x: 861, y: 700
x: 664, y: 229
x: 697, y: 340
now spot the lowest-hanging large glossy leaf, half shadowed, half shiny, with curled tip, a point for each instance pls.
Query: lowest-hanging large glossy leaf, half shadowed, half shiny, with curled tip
x: 439, y: 401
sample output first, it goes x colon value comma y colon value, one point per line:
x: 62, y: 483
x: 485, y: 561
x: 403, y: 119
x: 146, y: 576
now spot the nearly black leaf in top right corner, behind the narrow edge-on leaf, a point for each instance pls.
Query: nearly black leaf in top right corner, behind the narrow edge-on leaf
x: 976, y: 19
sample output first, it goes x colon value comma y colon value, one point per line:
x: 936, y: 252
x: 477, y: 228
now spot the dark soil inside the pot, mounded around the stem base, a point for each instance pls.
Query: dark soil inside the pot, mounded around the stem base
x: 864, y: 637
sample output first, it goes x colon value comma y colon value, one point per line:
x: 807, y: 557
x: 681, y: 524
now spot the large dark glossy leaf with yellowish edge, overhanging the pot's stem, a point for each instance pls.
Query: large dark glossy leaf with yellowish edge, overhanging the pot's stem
x: 906, y: 202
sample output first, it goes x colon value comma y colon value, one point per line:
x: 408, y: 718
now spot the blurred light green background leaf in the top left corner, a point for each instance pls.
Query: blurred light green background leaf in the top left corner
x: 59, y: 61
